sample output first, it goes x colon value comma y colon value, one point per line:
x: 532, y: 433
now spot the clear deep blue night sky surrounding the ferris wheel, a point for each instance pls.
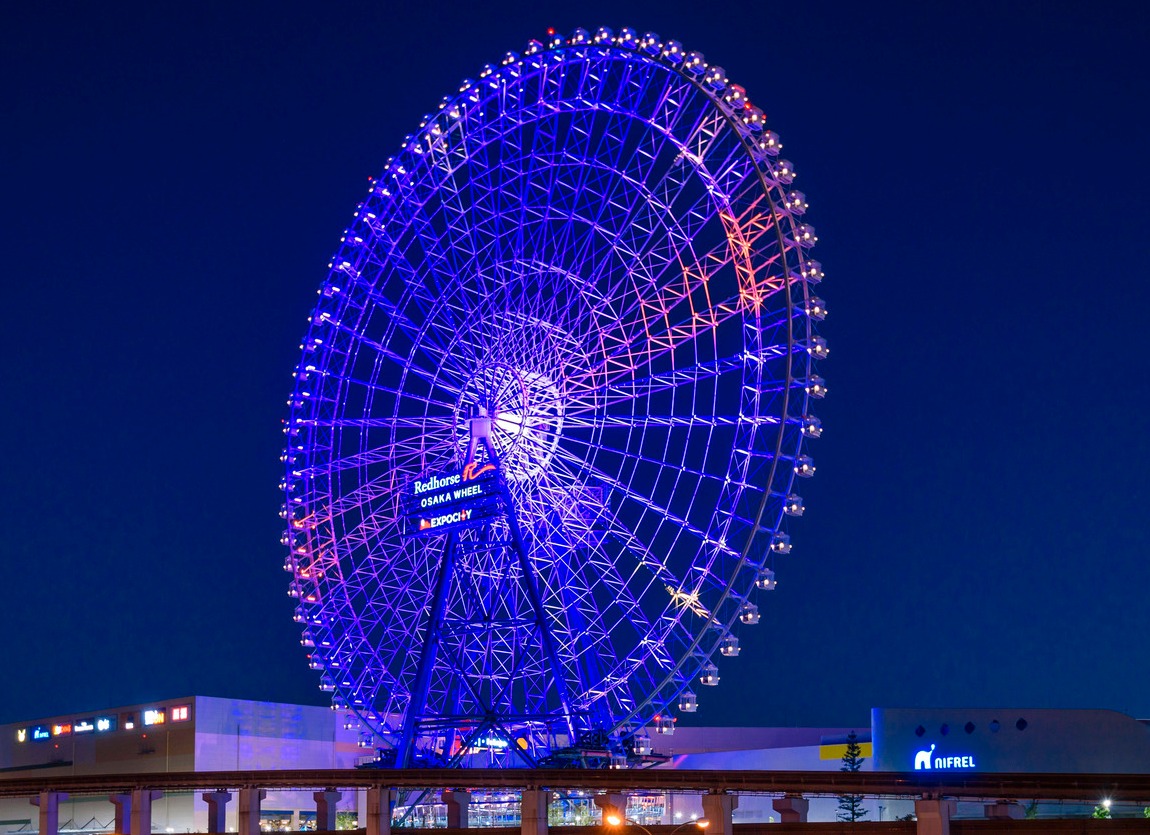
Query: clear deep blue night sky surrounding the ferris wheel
x: 174, y: 179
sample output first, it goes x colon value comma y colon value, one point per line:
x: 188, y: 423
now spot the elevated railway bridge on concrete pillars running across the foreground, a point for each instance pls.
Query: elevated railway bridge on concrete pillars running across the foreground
x: 934, y: 794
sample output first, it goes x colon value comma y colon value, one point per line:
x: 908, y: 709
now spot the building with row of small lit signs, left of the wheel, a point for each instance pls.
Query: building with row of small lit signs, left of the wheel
x: 194, y: 734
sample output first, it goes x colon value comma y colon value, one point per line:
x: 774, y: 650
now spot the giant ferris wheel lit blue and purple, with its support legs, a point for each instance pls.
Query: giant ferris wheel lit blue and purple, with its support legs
x: 553, y: 405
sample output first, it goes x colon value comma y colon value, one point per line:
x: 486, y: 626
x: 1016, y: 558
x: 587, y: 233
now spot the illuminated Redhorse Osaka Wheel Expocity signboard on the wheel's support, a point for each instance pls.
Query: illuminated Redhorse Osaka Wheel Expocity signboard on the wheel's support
x: 459, y: 499
